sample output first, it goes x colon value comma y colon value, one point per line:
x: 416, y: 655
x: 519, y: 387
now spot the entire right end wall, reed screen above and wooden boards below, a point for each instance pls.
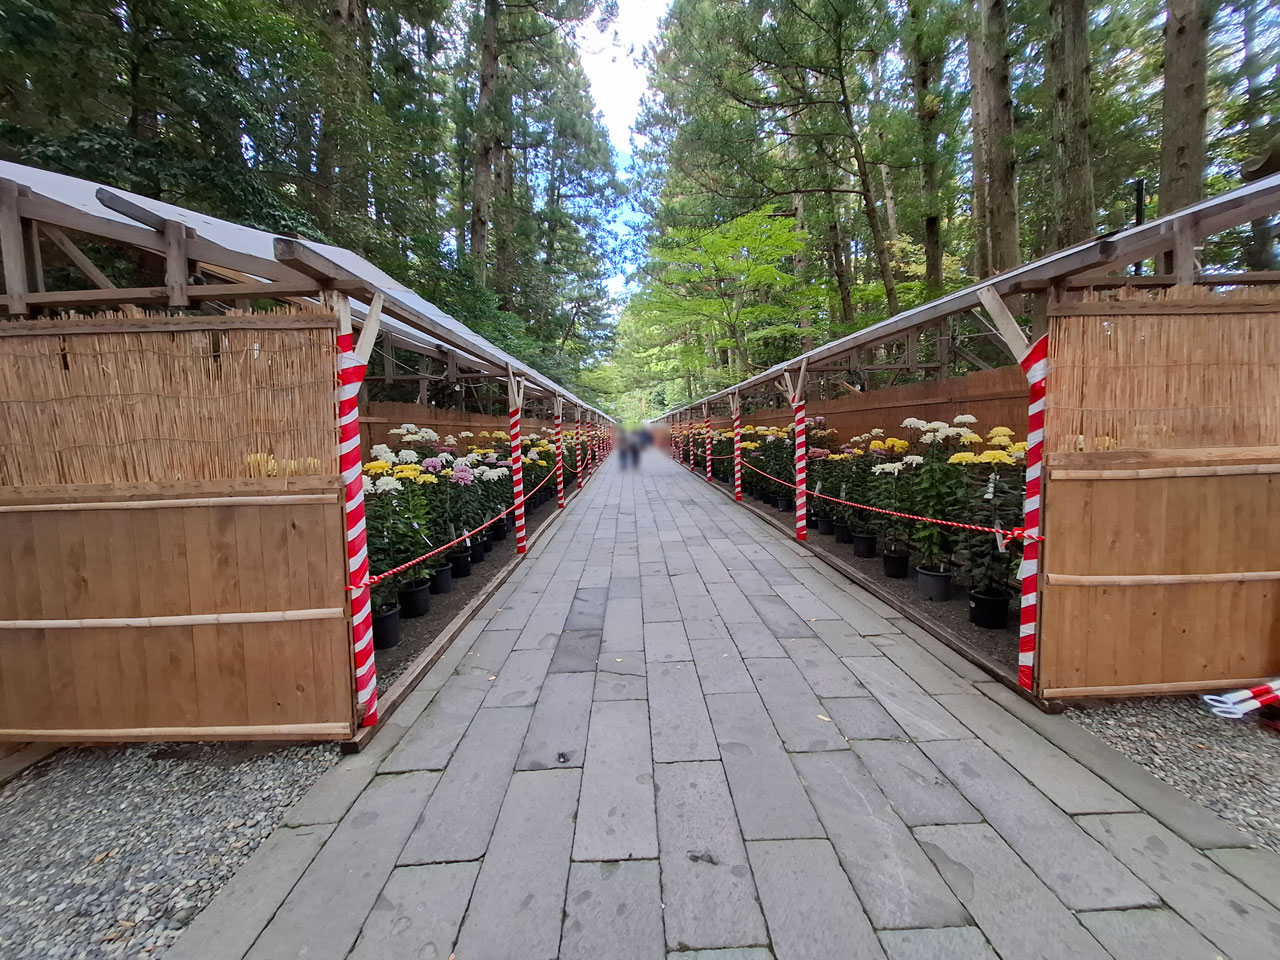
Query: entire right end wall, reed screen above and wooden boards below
x: 1162, y: 569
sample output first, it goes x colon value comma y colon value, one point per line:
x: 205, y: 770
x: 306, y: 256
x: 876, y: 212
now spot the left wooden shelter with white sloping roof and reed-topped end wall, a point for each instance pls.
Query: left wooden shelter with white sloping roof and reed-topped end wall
x: 180, y: 546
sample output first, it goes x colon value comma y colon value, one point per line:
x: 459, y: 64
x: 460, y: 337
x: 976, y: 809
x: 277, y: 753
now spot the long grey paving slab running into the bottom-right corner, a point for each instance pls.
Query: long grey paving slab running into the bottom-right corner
x: 1229, y: 915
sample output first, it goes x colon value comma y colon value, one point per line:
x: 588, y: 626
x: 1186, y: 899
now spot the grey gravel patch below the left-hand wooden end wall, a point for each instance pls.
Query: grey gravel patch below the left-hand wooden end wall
x: 111, y: 852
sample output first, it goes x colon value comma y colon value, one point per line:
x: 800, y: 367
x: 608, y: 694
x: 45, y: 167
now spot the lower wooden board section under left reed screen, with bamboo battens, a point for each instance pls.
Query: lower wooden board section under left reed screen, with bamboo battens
x: 282, y: 675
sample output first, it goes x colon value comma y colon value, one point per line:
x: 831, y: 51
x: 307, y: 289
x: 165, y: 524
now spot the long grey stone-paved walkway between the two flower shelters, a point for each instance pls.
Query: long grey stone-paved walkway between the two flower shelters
x: 675, y: 734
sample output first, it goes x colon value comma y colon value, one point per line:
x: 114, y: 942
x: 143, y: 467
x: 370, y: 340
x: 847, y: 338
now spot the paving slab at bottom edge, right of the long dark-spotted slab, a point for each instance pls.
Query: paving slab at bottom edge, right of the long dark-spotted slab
x: 811, y: 908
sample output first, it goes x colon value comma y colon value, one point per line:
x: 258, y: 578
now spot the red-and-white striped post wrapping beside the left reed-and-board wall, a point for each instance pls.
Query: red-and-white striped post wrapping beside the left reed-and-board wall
x: 351, y: 374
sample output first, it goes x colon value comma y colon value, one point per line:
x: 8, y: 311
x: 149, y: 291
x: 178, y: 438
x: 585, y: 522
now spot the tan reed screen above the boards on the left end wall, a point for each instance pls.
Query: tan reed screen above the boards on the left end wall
x: 205, y: 401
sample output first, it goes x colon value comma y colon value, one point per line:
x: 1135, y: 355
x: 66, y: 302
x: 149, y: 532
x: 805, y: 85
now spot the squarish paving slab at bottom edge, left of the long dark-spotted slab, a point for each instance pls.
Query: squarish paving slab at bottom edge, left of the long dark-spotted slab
x: 614, y: 911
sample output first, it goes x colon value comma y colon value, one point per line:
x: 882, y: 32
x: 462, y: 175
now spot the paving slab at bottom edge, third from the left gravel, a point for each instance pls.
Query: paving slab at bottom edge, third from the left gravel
x: 418, y: 913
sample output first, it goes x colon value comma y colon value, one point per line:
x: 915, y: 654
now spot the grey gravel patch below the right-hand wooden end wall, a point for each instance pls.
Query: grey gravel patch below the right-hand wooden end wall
x: 1231, y: 767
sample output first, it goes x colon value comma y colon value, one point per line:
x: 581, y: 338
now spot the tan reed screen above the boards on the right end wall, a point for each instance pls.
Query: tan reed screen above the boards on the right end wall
x: 1156, y: 381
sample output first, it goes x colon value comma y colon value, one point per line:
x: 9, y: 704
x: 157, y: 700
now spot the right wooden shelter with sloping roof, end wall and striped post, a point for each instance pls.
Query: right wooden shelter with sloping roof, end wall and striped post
x: 1155, y: 444
